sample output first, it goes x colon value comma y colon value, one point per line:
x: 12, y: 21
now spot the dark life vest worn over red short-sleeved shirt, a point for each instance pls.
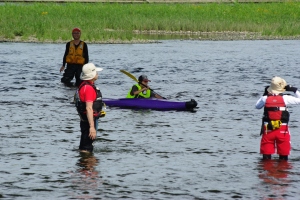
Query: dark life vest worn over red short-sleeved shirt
x: 97, y: 103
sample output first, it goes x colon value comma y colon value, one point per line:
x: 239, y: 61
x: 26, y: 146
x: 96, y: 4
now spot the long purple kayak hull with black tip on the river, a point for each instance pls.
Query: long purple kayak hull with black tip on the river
x: 154, y: 104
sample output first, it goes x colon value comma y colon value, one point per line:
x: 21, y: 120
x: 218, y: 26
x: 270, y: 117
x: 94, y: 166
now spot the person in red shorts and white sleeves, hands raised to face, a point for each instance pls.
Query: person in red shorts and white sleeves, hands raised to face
x: 275, y: 131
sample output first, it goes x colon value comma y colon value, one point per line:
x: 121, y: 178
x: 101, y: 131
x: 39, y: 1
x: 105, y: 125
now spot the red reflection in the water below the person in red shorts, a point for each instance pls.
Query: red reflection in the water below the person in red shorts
x: 275, y: 176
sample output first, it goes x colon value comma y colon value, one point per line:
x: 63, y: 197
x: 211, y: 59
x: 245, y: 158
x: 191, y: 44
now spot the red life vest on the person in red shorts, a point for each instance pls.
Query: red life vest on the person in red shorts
x: 275, y: 109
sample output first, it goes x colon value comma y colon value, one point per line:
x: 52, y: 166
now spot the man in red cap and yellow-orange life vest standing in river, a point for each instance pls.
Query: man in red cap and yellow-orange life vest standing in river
x: 76, y: 55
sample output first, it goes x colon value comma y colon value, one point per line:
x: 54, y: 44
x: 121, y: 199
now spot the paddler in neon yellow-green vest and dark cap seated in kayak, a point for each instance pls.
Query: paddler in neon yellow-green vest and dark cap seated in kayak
x: 142, y: 90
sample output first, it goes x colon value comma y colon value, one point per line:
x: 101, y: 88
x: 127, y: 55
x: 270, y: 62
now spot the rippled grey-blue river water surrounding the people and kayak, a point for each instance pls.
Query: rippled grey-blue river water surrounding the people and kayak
x: 141, y: 154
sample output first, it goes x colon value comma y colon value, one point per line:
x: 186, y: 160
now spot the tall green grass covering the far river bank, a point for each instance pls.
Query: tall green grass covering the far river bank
x: 112, y: 21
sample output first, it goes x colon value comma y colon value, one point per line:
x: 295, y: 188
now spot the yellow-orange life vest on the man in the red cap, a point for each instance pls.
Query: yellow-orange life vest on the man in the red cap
x: 75, y: 55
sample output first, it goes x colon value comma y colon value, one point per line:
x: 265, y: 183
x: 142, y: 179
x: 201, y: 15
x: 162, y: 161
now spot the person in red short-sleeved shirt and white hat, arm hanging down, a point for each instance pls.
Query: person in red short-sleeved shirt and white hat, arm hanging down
x: 88, y: 100
